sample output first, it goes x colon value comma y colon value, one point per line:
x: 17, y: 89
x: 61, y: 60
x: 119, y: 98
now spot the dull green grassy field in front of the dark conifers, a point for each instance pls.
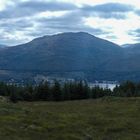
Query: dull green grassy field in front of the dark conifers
x: 102, y: 119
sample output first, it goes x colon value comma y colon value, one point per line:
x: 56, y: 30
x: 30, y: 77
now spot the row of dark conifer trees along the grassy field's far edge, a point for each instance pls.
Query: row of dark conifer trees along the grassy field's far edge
x: 67, y: 91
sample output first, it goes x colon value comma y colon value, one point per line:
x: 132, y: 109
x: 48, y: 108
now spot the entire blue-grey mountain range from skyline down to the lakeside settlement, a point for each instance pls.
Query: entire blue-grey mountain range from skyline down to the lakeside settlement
x: 73, y: 55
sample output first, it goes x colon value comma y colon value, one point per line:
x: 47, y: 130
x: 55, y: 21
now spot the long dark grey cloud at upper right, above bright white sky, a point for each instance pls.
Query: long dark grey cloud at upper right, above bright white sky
x: 108, y: 10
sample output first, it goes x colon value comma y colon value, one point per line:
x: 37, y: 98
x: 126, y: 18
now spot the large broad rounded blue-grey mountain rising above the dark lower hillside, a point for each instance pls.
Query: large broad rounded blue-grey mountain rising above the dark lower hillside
x: 62, y: 52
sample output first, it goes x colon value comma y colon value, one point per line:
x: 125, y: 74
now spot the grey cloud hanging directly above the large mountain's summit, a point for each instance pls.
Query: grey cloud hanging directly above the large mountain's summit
x: 69, y: 22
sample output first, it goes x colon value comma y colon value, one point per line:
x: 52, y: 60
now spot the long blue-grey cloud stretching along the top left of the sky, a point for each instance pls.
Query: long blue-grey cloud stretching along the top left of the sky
x: 30, y: 8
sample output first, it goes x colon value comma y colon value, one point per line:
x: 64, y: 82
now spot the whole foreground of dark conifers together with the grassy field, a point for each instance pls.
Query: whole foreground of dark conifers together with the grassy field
x: 110, y: 116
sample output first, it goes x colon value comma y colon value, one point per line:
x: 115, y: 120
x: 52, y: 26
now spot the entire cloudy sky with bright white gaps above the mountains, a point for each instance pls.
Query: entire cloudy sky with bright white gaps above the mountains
x: 114, y: 20
